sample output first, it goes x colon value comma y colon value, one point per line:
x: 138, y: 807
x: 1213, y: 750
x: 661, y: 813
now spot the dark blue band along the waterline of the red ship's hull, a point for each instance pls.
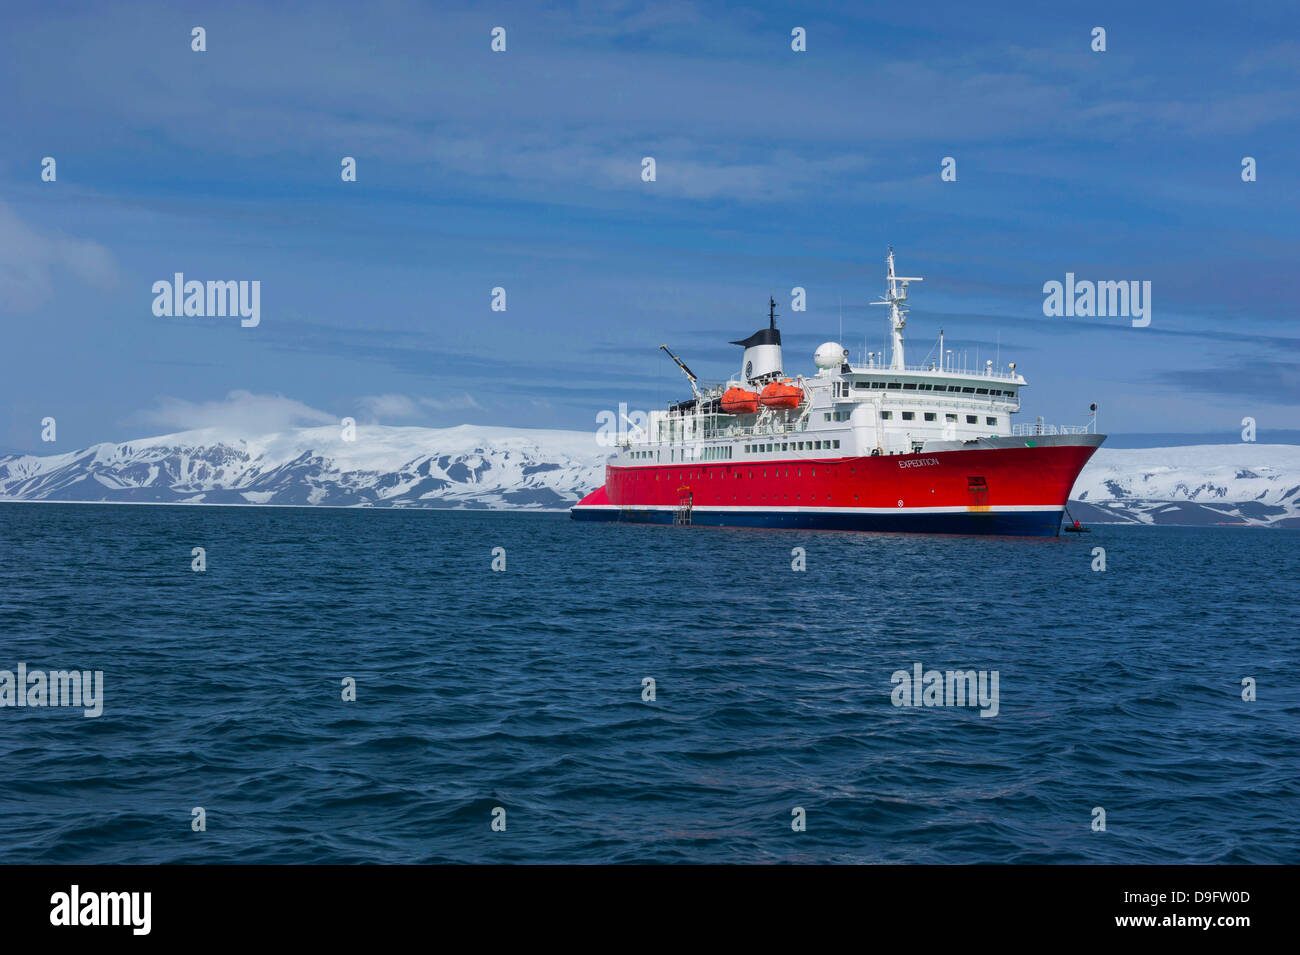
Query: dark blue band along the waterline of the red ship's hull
x: 1012, y: 524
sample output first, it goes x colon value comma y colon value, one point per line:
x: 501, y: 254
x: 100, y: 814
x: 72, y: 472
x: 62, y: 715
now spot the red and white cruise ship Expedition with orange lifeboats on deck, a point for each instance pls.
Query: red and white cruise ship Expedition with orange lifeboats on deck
x: 873, y: 446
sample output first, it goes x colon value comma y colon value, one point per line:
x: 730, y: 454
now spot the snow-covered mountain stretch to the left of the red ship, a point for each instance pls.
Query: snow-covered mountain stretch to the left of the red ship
x: 383, y: 467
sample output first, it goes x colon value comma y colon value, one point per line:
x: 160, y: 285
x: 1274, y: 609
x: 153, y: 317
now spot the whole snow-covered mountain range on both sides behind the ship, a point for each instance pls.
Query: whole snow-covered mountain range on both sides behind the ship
x: 473, y: 467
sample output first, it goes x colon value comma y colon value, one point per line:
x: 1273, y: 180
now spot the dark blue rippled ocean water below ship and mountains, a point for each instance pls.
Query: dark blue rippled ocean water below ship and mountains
x: 523, y: 691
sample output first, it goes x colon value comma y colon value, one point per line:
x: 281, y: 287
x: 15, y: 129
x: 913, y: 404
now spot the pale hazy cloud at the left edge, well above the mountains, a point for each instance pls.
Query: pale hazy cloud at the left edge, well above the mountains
x: 28, y: 262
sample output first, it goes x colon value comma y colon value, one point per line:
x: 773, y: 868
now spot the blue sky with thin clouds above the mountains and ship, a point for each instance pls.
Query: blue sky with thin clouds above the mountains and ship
x: 523, y: 171
